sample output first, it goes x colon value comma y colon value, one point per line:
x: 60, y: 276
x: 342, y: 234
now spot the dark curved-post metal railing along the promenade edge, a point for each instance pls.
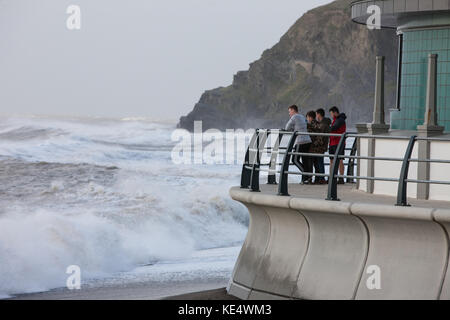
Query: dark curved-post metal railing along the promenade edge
x: 253, y: 167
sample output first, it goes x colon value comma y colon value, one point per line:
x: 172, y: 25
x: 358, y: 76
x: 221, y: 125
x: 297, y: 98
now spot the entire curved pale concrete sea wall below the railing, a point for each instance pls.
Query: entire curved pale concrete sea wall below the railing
x: 315, y: 249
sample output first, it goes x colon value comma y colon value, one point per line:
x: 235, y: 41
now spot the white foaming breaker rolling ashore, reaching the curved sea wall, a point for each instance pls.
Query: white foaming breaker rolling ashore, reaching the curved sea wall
x: 36, y: 246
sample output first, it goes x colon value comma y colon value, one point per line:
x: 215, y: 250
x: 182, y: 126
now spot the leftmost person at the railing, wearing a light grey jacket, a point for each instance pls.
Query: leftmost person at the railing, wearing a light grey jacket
x: 298, y: 123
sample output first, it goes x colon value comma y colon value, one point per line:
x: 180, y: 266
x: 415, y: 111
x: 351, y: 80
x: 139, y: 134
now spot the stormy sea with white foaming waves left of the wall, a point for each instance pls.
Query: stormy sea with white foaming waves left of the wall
x: 106, y: 196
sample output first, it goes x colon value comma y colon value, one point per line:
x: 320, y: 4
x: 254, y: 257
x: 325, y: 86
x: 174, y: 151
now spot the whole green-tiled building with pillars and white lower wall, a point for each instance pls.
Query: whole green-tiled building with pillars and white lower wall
x: 423, y: 104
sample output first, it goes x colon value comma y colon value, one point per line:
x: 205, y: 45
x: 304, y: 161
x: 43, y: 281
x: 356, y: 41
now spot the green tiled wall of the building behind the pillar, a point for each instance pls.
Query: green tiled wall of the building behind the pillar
x: 417, y: 45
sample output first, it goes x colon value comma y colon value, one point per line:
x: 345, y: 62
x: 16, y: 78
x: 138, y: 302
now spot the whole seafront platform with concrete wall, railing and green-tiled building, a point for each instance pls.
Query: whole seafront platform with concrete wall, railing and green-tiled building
x: 385, y: 235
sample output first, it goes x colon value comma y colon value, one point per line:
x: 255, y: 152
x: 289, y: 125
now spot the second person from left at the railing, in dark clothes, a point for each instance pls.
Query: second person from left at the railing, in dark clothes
x: 317, y: 146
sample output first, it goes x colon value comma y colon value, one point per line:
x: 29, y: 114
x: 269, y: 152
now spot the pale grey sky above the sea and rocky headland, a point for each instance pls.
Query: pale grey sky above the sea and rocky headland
x: 131, y: 58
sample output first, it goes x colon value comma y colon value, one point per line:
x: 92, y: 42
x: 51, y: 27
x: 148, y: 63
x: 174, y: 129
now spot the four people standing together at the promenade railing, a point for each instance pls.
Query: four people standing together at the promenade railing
x: 316, y: 122
